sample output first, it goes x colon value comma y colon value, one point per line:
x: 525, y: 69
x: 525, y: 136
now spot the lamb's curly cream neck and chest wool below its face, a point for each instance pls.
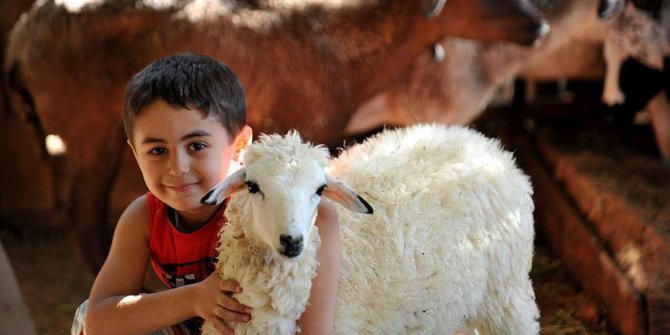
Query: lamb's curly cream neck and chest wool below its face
x: 272, y: 284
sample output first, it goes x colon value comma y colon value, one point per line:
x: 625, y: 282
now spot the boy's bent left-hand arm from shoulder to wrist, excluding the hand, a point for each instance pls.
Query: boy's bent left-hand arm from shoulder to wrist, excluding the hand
x: 115, y: 304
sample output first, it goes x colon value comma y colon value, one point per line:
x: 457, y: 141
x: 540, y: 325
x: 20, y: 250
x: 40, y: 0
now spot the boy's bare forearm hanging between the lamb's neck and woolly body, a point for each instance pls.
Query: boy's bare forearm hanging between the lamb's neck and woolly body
x: 319, y: 316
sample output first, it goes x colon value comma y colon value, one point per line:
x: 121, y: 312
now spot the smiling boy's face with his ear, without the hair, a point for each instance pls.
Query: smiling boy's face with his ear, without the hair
x: 182, y: 156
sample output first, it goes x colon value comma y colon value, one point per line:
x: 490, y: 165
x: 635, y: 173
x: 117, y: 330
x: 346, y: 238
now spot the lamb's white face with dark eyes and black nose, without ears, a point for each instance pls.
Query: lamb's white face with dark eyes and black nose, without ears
x: 284, y: 203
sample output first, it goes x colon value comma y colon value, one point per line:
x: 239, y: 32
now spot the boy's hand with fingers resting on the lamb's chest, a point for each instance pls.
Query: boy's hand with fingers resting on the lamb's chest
x: 215, y: 304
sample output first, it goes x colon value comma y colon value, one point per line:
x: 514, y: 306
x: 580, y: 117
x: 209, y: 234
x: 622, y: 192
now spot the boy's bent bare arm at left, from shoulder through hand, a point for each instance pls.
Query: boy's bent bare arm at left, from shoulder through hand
x: 115, y: 305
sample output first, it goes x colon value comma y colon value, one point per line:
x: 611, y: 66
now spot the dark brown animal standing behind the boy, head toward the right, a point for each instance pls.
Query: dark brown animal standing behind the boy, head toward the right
x: 304, y: 65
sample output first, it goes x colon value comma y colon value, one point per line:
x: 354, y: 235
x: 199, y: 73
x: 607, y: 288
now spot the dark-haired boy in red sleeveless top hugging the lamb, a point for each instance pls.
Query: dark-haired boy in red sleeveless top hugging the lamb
x: 185, y: 121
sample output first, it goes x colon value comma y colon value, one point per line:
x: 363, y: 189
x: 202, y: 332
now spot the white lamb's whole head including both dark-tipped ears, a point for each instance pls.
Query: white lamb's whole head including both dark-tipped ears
x: 285, y: 178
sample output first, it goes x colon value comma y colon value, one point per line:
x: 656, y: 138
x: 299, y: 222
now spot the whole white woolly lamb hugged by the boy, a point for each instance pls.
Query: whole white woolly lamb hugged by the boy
x: 449, y: 246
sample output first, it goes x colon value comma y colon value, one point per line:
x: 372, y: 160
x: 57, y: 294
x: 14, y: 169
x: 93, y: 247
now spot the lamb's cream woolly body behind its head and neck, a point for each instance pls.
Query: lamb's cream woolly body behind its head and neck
x: 453, y: 221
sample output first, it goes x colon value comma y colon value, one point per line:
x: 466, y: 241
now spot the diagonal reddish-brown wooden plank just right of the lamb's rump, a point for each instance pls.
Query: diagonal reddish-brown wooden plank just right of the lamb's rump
x: 575, y: 242
